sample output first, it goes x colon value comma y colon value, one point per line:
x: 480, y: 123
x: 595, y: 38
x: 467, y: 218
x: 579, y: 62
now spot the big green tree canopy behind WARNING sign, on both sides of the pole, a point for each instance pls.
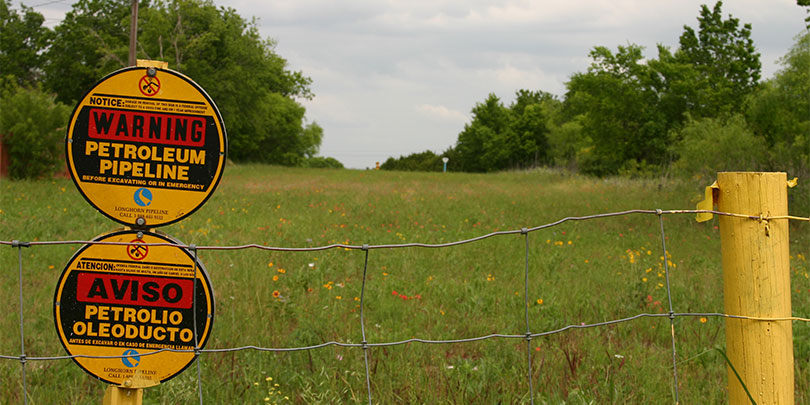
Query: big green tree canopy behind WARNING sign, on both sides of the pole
x: 255, y: 91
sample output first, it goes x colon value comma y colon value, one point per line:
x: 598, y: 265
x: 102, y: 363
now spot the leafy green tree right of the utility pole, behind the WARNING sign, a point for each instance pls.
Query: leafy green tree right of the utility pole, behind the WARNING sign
x: 250, y: 83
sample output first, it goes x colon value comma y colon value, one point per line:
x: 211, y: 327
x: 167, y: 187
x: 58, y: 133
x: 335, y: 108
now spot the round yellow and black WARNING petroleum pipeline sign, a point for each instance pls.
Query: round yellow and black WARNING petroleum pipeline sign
x: 146, y: 146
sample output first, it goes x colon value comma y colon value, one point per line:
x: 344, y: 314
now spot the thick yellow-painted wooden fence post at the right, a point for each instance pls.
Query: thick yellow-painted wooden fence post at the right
x: 756, y: 283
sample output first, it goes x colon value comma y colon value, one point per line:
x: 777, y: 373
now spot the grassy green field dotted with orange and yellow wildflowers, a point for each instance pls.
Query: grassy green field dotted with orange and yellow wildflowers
x: 580, y: 272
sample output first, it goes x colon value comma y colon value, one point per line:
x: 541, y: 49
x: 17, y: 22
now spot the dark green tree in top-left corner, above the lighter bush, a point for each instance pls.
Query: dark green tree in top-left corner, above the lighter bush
x: 22, y: 42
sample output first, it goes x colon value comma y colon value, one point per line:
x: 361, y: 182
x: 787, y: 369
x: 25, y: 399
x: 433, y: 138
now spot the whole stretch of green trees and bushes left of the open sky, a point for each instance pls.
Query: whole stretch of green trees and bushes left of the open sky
x: 44, y: 72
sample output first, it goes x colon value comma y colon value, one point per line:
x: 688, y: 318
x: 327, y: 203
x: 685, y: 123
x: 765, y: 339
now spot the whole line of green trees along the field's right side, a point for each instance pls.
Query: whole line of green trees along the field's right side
x: 692, y: 111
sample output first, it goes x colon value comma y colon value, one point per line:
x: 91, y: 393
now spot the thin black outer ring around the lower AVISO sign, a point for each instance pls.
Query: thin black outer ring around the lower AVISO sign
x: 200, y: 268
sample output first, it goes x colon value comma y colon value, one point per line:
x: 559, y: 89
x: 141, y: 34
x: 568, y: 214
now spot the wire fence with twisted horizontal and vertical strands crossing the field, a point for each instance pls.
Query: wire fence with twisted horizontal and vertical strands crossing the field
x: 365, y: 345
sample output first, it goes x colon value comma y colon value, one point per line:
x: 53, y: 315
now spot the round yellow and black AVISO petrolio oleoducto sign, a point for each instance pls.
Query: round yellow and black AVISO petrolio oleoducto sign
x: 131, y: 300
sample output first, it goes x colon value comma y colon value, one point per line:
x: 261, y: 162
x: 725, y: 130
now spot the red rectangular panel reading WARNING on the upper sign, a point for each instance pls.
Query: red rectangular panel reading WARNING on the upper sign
x: 140, y: 126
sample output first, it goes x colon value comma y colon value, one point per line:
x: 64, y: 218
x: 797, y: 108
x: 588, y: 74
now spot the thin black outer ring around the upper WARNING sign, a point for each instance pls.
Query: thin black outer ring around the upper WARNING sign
x: 214, y: 184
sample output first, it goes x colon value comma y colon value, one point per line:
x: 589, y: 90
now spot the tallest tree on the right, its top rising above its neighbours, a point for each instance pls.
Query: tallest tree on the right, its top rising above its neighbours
x: 725, y: 59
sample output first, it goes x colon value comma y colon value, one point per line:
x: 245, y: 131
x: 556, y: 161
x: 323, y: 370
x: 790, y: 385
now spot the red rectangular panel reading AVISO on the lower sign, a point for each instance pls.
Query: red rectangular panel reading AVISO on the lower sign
x: 134, y: 290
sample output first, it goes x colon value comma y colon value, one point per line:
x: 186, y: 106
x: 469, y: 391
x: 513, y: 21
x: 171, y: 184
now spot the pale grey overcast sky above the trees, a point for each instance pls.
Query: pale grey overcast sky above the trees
x: 396, y: 77
